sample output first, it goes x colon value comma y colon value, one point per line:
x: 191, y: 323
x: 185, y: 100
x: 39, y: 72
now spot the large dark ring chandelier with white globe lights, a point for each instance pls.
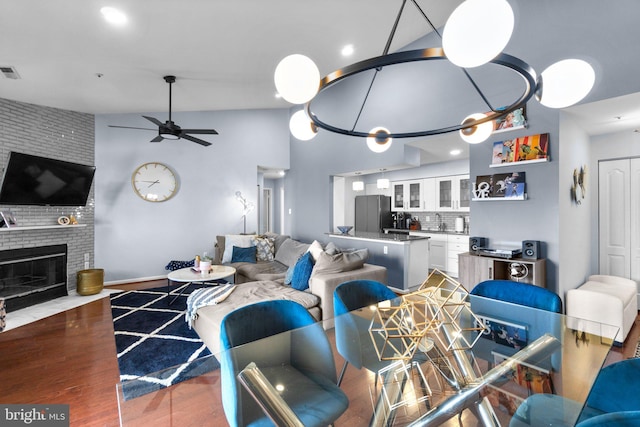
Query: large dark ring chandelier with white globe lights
x: 562, y: 84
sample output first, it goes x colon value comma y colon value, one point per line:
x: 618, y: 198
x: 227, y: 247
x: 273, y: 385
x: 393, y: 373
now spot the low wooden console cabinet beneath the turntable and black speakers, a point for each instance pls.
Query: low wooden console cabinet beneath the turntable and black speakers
x: 475, y: 269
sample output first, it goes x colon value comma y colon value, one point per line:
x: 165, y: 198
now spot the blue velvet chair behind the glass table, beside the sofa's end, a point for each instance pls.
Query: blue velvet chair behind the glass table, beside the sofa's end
x: 352, y: 332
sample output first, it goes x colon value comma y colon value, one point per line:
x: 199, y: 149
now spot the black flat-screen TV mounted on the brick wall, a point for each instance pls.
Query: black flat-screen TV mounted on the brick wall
x: 34, y: 180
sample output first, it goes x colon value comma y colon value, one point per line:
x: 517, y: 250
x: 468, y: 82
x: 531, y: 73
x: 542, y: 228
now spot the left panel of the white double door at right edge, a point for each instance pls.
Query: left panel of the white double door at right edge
x: 614, y: 217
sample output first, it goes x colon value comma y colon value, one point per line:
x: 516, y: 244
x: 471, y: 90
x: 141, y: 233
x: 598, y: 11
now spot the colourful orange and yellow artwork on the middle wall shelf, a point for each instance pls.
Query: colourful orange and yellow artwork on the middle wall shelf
x: 522, y: 149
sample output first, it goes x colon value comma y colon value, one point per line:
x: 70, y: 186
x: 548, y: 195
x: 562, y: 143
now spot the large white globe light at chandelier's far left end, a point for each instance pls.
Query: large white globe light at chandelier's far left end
x: 297, y: 79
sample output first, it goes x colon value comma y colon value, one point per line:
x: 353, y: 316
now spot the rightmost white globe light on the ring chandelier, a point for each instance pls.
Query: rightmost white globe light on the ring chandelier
x: 566, y: 83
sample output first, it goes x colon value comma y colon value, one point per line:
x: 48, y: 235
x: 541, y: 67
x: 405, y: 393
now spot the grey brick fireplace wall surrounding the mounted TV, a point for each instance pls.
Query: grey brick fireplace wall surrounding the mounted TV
x: 59, y: 134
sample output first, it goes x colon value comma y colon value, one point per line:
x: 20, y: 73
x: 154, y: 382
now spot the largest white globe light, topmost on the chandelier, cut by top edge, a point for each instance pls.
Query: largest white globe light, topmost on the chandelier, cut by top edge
x: 477, y: 31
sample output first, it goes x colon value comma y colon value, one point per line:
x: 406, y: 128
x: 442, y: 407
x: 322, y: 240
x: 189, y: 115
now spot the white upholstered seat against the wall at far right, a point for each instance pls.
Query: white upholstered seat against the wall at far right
x: 608, y: 300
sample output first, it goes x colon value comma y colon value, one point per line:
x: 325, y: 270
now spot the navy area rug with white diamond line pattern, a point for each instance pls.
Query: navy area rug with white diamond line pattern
x: 155, y: 346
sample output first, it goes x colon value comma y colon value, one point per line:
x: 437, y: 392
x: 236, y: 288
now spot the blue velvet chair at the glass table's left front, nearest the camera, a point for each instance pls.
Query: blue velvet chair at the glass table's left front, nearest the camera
x: 301, y: 361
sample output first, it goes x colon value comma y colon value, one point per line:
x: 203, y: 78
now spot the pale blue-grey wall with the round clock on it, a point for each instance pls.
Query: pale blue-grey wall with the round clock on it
x: 135, y: 238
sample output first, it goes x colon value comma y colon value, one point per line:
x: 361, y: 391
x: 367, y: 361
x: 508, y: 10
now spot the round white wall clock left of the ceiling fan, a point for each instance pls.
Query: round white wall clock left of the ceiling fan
x: 154, y: 182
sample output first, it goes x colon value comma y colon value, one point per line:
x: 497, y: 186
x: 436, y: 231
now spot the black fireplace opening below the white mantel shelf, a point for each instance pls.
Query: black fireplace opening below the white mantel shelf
x: 29, y: 276
